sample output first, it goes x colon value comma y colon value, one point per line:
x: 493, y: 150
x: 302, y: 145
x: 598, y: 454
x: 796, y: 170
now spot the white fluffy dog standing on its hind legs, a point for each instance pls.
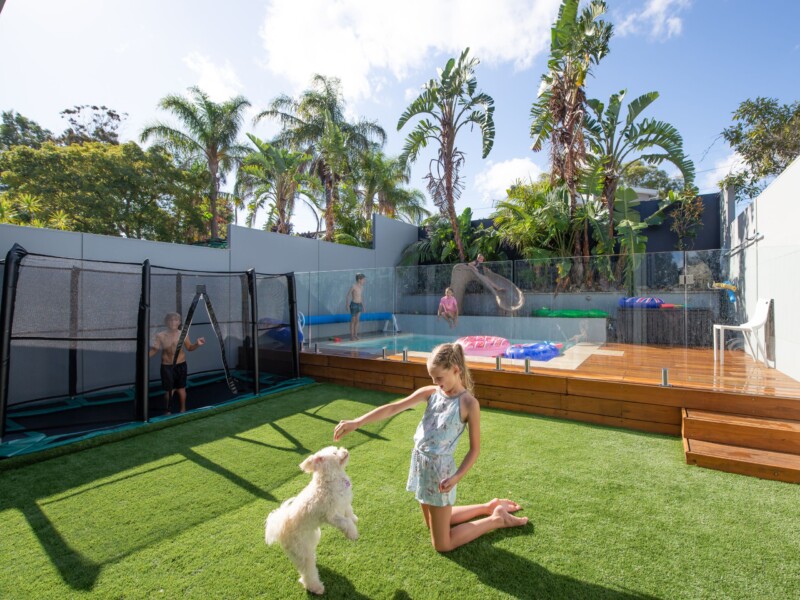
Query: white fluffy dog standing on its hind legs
x: 327, y: 499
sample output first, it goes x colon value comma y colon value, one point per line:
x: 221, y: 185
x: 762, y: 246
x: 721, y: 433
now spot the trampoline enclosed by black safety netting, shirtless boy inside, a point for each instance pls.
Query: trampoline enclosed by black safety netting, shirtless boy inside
x: 82, y: 335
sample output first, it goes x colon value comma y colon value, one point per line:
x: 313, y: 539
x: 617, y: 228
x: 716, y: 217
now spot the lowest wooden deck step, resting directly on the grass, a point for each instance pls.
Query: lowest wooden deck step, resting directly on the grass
x: 765, y: 464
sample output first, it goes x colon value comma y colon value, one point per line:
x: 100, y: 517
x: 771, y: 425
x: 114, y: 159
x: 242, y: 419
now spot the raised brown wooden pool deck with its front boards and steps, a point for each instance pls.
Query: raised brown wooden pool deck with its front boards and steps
x: 621, y: 387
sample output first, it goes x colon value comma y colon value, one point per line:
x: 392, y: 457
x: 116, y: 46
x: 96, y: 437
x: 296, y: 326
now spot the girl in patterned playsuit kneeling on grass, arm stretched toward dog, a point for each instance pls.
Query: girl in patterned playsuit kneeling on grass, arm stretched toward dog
x: 433, y: 475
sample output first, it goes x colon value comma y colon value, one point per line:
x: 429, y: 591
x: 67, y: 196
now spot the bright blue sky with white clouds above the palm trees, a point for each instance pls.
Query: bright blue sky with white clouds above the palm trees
x: 703, y: 56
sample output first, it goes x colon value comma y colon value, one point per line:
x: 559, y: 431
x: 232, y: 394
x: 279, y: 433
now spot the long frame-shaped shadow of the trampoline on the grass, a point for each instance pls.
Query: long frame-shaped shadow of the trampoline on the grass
x: 67, y: 477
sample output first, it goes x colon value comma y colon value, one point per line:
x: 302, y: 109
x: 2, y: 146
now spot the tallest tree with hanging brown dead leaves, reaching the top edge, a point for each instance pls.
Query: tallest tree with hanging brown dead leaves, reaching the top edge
x: 578, y: 41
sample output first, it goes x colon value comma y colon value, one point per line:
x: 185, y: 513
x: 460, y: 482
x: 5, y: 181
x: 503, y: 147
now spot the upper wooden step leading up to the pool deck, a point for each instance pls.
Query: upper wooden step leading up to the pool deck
x: 761, y: 433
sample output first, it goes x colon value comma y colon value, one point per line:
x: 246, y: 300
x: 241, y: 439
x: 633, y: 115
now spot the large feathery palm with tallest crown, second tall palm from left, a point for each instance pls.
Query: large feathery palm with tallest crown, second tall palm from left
x: 315, y: 124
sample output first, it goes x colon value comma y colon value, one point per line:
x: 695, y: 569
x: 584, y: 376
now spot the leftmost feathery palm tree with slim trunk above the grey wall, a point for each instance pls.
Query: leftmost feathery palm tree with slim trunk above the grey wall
x: 209, y: 135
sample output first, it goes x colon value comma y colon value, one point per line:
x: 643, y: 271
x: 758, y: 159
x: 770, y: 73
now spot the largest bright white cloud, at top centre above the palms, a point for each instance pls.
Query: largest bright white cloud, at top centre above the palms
x: 363, y: 41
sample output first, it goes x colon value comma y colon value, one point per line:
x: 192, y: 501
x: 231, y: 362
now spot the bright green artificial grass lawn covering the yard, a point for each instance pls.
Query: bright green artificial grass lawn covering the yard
x: 179, y: 512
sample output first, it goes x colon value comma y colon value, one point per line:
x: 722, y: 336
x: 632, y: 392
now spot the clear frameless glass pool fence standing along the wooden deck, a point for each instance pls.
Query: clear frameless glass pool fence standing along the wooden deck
x: 635, y: 315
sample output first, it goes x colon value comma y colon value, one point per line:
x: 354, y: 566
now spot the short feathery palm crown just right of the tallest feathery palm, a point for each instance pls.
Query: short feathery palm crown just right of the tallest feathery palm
x: 381, y: 179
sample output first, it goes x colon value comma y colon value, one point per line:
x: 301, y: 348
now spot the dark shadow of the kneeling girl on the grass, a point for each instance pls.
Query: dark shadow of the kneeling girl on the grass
x: 521, y: 578
